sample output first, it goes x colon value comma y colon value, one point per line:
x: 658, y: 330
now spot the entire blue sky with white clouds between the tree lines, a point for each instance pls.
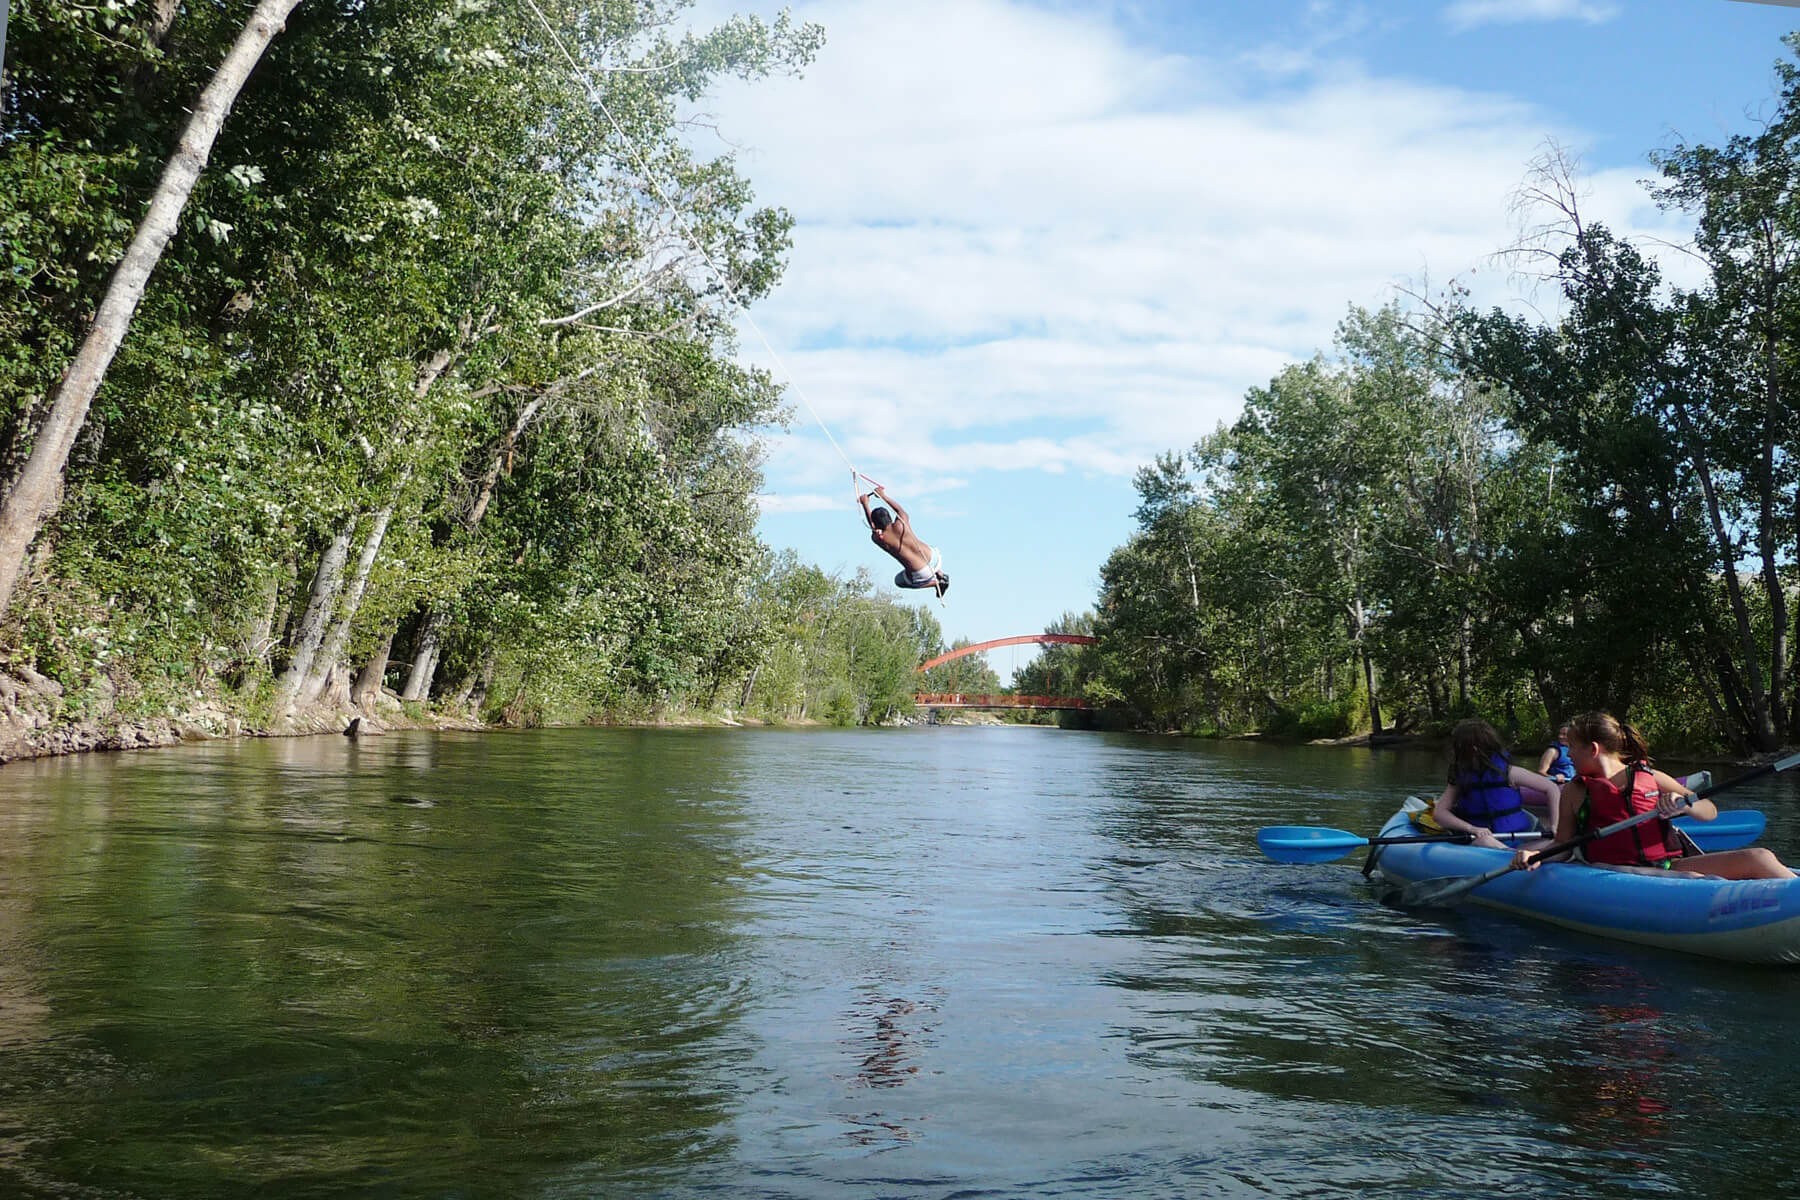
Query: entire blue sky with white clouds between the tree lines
x: 1038, y: 244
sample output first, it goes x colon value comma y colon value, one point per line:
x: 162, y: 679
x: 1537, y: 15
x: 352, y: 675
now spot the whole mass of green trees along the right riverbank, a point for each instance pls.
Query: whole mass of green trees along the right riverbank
x: 1471, y: 512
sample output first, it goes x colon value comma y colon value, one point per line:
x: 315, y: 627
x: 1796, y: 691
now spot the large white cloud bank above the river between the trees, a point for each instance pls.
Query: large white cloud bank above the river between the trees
x: 1029, y: 246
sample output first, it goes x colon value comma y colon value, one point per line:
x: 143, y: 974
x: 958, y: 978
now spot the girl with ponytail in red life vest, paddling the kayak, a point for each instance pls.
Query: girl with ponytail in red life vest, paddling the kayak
x: 1615, y: 780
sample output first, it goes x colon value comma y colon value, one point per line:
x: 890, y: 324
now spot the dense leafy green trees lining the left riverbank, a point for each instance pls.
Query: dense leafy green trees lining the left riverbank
x: 440, y: 368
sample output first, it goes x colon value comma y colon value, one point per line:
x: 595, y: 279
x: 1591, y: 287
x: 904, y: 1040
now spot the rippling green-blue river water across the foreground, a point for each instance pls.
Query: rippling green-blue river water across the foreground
x: 760, y: 963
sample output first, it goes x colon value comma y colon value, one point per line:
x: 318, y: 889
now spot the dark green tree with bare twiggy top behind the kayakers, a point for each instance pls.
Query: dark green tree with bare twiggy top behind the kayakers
x: 1637, y: 395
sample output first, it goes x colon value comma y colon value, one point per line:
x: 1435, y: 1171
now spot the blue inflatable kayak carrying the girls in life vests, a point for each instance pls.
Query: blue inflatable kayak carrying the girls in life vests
x: 1740, y: 920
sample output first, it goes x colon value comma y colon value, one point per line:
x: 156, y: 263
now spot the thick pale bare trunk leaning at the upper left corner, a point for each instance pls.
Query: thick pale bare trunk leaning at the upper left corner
x: 35, y: 497
